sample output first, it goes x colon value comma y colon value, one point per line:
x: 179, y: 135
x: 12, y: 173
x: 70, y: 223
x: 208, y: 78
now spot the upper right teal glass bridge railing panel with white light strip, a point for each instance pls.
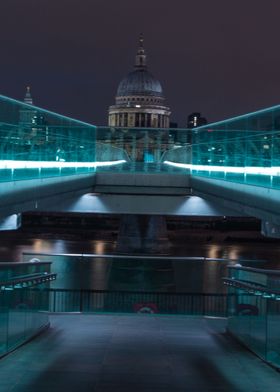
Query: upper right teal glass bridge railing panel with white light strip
x: 244, y: 149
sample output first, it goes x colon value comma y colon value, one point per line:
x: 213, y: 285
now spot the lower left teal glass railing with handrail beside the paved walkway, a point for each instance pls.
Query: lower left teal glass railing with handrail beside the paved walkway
x: 23, y: 309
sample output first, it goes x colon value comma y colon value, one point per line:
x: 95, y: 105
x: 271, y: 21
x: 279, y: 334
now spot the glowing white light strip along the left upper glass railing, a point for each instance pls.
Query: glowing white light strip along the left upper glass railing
x: 9, y: 164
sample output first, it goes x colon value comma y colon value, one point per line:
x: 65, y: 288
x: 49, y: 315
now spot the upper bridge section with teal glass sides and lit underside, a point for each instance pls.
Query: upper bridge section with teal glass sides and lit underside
x: 50, y: 162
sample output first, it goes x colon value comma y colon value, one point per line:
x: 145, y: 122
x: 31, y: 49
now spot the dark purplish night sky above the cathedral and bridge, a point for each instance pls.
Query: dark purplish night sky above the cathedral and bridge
x: 219, y: 57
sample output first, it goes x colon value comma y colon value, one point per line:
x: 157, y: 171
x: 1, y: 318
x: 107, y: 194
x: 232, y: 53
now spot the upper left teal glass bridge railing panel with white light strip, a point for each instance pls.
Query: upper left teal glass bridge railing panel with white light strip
x: 37, y: 143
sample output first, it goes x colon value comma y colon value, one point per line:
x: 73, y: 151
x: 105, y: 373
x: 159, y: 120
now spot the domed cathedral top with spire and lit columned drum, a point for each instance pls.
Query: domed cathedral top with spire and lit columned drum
x: 139, y: 101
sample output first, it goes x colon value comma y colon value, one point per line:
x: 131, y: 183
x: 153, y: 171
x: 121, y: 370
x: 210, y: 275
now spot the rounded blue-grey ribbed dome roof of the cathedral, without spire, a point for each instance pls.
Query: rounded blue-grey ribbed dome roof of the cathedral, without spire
x: 140, y: 82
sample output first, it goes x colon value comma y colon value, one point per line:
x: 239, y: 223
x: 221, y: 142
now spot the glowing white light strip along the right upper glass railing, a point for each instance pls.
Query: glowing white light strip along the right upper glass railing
x: 269, y: 171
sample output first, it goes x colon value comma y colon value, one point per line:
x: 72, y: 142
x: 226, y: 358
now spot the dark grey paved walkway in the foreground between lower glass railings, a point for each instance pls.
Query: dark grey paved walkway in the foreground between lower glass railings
x: 120, y: 353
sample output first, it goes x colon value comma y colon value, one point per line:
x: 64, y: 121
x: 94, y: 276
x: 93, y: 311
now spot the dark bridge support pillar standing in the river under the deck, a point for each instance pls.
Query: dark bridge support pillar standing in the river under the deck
x: 143, y: 234
